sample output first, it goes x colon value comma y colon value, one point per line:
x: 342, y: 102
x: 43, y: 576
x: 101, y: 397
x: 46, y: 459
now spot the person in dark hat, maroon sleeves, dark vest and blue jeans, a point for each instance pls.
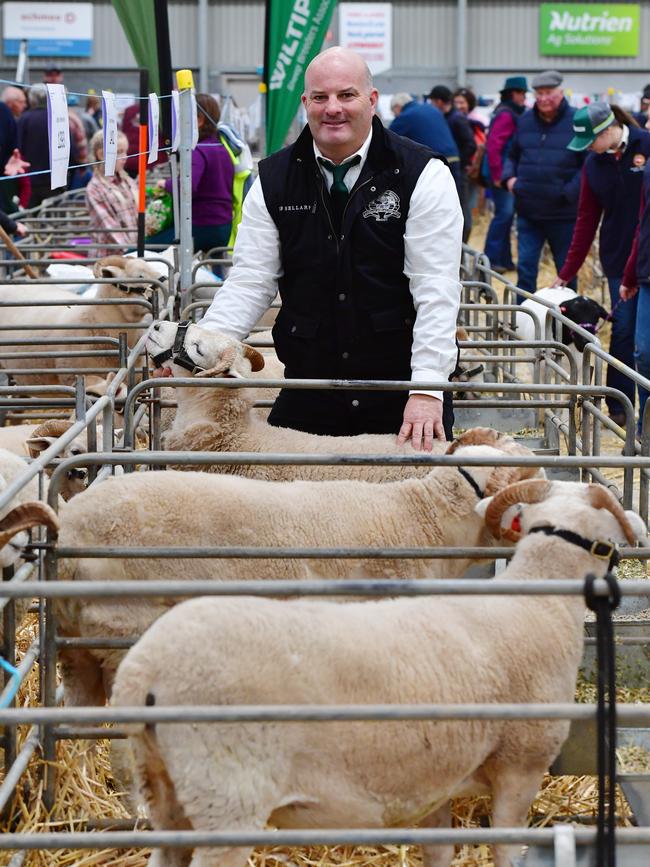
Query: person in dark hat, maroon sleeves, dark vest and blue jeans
x: 503, y: 126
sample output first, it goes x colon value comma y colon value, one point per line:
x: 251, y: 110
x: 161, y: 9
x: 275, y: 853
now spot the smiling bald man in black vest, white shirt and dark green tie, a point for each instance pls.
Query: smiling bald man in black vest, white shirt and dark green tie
x: 360, y: 231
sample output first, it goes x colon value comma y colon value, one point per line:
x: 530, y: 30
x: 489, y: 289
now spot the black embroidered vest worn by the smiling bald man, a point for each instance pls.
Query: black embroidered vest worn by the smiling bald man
x: 347, y: 311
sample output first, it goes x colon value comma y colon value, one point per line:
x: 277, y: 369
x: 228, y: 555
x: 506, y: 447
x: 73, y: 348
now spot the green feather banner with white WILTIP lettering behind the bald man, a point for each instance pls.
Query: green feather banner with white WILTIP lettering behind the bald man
x: 295, y: 33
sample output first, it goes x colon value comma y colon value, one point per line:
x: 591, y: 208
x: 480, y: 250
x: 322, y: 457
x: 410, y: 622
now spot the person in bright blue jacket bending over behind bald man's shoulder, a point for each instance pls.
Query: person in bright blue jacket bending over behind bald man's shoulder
x: 425, y: 124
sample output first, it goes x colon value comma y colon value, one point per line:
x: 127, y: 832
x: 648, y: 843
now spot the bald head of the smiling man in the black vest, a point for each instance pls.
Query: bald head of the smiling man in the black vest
x: 340, y: 100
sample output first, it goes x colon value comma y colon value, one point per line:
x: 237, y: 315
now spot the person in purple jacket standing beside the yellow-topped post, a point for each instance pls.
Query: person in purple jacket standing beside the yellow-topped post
x: 212, y: 179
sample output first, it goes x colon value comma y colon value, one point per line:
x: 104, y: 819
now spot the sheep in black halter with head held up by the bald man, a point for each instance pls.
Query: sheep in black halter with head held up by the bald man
x: 221, y: 419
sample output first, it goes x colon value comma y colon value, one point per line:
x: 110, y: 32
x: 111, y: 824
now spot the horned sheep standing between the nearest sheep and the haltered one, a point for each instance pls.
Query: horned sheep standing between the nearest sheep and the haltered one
x: 172, y: 508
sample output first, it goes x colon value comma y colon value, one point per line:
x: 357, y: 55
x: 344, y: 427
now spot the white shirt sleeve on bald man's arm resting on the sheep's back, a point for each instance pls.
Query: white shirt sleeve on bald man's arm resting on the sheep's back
x: 432, y: 251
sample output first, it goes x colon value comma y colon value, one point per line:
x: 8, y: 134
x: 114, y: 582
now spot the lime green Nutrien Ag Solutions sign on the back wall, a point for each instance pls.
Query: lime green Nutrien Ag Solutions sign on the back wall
x: 594, y: 29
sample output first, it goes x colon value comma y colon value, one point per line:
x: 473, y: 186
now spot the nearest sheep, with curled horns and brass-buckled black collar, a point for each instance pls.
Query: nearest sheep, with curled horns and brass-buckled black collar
x: 253, y: 651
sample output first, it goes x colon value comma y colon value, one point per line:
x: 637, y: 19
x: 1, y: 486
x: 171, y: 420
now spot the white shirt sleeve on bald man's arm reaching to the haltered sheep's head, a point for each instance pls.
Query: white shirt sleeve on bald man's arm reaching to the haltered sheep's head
x: 252, y: 283
